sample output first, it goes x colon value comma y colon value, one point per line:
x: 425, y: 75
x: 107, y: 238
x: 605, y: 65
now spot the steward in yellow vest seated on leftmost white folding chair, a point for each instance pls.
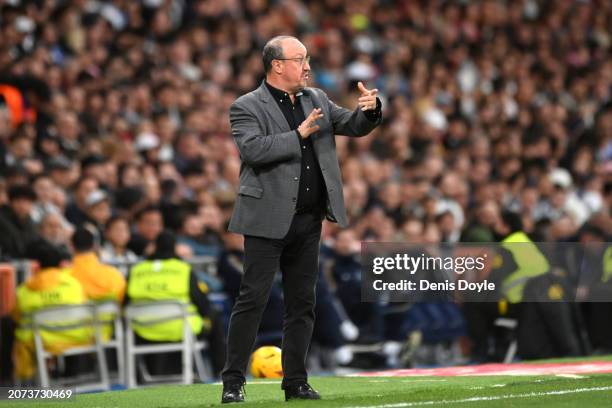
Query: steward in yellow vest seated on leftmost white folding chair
x: 49, y: 286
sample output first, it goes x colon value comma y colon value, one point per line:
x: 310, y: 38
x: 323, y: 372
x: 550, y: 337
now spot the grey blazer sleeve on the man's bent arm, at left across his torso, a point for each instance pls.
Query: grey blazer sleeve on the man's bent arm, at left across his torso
x: 257, y: 149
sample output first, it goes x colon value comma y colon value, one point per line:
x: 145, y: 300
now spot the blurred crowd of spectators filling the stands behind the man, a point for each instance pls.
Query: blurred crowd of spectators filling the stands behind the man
x: 114, y: 116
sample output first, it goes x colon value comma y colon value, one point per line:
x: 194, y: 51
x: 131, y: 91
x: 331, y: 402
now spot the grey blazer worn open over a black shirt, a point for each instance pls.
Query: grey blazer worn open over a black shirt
x: 271, y: 159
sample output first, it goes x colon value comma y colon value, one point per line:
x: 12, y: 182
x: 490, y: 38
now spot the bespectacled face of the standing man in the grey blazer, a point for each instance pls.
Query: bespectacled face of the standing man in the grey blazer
x: 294, y: 69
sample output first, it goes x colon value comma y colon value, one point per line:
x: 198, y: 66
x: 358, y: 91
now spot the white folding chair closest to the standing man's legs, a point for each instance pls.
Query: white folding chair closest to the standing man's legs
x: 157, y: 312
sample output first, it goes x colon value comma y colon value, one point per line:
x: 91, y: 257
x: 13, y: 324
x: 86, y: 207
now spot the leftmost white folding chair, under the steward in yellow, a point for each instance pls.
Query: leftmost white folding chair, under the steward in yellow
x: 61, y: 319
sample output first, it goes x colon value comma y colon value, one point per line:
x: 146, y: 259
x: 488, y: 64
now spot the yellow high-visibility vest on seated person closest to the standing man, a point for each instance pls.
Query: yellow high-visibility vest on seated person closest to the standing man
x: 166, y: 279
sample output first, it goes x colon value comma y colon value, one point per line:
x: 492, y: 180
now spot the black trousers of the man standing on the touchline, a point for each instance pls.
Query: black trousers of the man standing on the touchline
x: 297, y: 257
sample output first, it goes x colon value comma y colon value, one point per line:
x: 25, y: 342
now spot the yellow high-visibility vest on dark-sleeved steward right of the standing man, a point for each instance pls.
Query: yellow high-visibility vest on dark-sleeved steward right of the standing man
x: 530, y: 262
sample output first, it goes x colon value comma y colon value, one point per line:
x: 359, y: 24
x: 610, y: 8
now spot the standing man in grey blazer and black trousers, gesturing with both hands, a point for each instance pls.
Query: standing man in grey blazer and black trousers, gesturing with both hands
x: 289, y: 182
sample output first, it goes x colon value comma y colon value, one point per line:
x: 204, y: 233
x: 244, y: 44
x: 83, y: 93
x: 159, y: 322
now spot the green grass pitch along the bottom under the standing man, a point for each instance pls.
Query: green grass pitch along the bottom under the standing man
x: 363, y: 392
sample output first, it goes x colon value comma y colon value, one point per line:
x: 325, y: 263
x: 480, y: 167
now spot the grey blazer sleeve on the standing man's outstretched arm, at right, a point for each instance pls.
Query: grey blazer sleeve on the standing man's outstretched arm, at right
x: 350, y: 123
